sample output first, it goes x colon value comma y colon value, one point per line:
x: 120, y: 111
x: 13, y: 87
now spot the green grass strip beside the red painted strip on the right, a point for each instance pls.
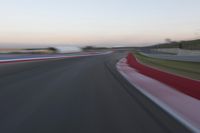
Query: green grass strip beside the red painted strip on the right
x: 187, y: 69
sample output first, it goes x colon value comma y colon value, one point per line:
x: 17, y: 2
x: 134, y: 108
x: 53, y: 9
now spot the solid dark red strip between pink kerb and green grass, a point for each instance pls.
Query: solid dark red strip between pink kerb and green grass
x: 185, y: 85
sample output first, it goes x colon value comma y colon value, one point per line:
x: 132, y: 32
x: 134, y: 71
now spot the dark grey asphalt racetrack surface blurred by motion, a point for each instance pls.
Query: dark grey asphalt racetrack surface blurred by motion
x: 79, y: 95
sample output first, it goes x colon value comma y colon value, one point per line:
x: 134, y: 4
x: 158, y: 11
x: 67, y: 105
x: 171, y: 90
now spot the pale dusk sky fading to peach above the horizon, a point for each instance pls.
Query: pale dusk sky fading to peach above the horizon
x: 98, y: 22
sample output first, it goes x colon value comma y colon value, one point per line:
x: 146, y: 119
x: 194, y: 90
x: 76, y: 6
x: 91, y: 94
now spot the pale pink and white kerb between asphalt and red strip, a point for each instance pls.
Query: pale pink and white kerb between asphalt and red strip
x: 181, y: 106
